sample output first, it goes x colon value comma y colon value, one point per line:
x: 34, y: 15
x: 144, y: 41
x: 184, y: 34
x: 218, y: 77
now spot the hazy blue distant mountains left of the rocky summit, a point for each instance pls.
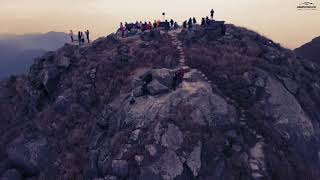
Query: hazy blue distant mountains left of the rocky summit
x: 18, y: 51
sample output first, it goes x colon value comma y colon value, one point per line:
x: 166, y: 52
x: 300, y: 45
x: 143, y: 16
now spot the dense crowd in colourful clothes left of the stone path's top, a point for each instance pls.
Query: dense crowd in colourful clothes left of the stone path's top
x: 143, y: 26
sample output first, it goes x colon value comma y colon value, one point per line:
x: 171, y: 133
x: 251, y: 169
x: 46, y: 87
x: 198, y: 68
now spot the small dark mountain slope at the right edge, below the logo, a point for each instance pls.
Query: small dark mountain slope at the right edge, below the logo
x: 310, y: 50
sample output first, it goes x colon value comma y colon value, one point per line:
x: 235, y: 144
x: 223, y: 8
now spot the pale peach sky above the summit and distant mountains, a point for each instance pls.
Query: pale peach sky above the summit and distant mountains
x: 276, y: 19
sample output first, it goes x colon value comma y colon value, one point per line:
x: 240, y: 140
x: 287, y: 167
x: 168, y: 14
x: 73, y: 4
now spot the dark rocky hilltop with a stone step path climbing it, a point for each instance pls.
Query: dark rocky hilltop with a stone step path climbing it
x: 247, y: 109
